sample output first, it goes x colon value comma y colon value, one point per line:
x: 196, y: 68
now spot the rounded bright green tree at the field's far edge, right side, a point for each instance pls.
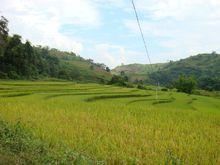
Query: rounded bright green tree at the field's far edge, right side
x: 184, y: 84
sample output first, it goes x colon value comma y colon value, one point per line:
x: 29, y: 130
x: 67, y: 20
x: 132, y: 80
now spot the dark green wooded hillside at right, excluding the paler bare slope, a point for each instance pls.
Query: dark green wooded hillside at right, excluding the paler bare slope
x: 202, y: 67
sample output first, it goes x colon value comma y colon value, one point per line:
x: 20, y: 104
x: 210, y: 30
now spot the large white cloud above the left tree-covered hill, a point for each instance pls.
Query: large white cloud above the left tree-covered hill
x: 40, y: 21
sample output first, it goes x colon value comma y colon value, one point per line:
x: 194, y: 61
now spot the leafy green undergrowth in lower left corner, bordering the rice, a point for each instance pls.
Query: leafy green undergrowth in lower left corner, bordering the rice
x: 17, y: 141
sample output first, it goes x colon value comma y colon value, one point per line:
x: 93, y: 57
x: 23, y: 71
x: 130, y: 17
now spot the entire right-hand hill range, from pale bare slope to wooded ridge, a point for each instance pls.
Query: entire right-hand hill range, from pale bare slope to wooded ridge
x: 204, y: 67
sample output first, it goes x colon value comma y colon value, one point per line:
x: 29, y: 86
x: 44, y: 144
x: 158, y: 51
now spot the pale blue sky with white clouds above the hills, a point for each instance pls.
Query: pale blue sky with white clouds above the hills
x: 107, y: 32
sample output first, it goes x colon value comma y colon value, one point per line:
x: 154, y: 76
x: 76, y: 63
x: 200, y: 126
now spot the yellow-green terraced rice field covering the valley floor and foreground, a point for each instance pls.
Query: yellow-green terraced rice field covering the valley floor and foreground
x: 103, y: 124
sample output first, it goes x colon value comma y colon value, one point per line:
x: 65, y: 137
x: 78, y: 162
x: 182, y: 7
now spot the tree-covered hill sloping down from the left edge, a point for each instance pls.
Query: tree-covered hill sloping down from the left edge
x: 20, y: 60
